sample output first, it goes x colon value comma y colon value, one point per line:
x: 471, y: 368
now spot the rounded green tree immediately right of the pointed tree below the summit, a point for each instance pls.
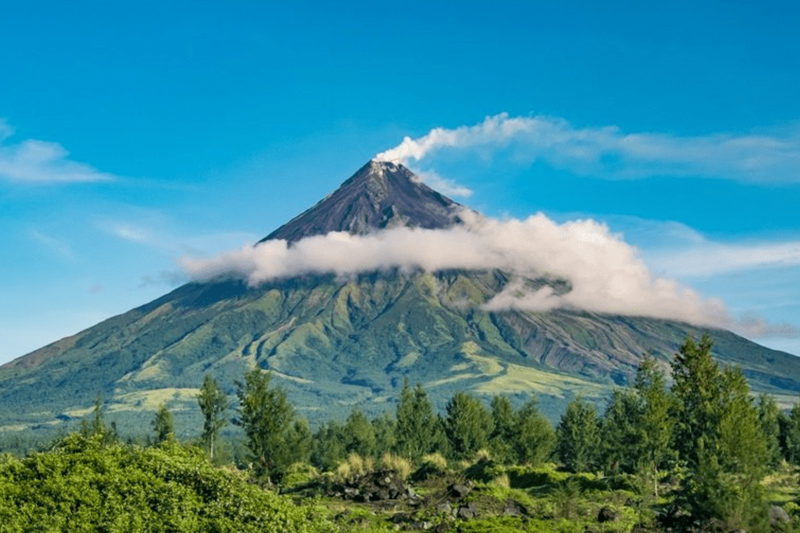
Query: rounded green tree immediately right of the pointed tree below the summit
x: 467, y: 425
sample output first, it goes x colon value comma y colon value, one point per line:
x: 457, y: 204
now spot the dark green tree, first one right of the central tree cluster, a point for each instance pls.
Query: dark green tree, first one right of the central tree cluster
x: 578, y: 436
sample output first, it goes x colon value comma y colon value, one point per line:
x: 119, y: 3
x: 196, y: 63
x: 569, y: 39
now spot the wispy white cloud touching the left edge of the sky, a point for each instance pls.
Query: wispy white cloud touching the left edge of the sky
x: 35, y: 161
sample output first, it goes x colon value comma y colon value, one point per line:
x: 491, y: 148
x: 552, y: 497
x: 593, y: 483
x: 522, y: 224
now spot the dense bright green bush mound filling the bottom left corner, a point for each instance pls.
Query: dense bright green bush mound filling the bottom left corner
x: 82, y: 485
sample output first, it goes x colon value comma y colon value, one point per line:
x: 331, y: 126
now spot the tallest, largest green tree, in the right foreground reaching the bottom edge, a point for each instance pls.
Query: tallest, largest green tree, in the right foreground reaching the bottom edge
x: 721, y: 438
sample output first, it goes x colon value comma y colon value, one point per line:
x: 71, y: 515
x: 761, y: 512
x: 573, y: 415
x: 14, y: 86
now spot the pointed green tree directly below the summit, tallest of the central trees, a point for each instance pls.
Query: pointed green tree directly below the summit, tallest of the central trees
x: 418, y: 429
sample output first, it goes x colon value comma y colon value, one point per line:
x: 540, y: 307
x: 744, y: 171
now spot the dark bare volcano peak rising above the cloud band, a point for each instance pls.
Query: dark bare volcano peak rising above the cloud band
x: 379, y: 195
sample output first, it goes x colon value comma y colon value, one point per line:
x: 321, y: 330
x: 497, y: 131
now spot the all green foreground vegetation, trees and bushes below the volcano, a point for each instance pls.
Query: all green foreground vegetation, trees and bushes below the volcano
x: 701, y: 455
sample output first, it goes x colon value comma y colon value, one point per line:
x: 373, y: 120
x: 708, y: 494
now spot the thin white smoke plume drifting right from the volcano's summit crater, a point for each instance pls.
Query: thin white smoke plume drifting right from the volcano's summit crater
x: 609, y: 152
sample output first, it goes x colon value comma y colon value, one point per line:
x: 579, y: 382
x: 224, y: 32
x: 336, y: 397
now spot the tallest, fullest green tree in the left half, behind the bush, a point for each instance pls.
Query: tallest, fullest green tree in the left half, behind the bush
x: 265, y: 415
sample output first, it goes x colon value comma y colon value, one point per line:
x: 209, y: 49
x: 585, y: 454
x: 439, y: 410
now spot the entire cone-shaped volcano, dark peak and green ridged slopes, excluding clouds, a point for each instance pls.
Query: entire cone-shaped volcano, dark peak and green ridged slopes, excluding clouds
x: 335, y: 343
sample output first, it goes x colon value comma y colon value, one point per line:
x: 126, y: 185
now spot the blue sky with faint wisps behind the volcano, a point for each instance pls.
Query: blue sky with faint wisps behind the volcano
x: 136, y: 134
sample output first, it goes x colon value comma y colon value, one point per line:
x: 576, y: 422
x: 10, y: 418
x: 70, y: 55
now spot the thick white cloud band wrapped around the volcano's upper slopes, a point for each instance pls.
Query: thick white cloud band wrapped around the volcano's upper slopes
x: 606, y: 274
